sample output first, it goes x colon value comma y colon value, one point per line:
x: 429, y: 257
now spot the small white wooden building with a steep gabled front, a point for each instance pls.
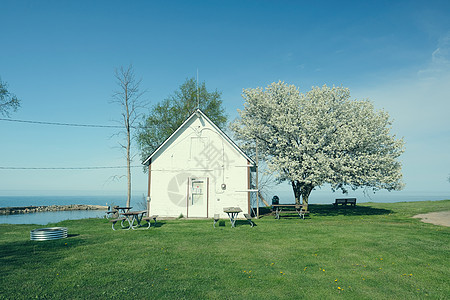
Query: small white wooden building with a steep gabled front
x: 198, y: 171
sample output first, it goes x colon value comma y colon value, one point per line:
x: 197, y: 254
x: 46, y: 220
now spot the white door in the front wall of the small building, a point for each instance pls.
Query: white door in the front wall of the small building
x: 198, y: 198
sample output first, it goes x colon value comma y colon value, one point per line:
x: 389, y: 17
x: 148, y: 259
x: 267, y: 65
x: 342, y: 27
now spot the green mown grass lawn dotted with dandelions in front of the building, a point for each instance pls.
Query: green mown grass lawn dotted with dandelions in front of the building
x: 373, y: 251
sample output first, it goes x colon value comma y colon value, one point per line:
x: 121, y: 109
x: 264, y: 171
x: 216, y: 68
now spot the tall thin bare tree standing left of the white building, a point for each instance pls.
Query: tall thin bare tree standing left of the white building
x: 128, y: 96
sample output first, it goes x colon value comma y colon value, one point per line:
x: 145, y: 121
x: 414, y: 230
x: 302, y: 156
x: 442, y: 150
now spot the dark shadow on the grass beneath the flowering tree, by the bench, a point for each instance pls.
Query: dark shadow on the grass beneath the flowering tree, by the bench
x: 330, y: 210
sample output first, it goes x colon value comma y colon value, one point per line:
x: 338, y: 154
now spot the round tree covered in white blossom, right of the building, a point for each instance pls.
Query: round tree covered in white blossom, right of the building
x: 320, y: 137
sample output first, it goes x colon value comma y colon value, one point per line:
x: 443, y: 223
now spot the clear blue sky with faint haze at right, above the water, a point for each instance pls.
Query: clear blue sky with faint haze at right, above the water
x: 59, y: 58
